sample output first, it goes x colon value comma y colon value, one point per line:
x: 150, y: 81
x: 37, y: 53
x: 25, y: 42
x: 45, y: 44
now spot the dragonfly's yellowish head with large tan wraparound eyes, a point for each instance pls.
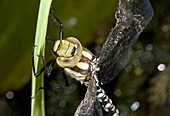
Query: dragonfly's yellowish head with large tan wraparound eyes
x: 68, y: 52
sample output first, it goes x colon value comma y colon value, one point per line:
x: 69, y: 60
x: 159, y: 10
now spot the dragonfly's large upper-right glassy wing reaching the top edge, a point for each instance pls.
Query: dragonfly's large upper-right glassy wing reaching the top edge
x: 132, y: 17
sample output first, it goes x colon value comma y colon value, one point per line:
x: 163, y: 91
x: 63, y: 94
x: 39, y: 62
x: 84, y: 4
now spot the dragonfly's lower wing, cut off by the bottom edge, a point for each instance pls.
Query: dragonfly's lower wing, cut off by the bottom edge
x: 89, y: 106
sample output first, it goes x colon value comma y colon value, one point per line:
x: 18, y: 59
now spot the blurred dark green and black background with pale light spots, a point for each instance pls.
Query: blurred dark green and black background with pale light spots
x: 141, y: 89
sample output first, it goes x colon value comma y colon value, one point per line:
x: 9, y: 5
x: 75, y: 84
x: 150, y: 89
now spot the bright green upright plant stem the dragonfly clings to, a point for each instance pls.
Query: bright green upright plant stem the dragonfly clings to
x: 38, y: 104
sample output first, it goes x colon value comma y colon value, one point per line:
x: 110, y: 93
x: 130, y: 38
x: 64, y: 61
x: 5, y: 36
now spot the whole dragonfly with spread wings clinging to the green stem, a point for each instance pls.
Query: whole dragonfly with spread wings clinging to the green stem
x: 79, y: 63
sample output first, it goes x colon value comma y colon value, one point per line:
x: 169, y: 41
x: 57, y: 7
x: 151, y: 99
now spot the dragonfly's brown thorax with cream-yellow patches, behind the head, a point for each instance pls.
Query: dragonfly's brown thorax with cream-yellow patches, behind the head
x: 82, y: 71
